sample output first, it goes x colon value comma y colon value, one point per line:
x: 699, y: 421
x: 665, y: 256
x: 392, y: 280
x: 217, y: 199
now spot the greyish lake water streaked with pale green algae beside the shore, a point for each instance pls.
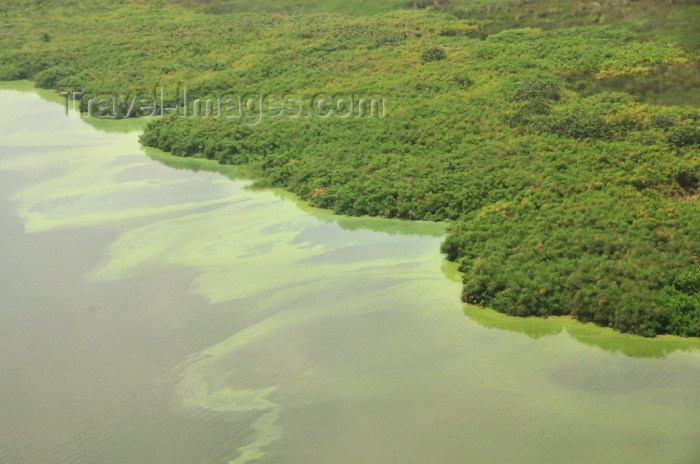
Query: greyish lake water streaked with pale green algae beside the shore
x: 155, y: 310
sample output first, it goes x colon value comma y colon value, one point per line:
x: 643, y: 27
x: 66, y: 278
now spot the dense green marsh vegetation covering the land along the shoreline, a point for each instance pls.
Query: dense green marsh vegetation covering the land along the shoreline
x: 560, y: 139
